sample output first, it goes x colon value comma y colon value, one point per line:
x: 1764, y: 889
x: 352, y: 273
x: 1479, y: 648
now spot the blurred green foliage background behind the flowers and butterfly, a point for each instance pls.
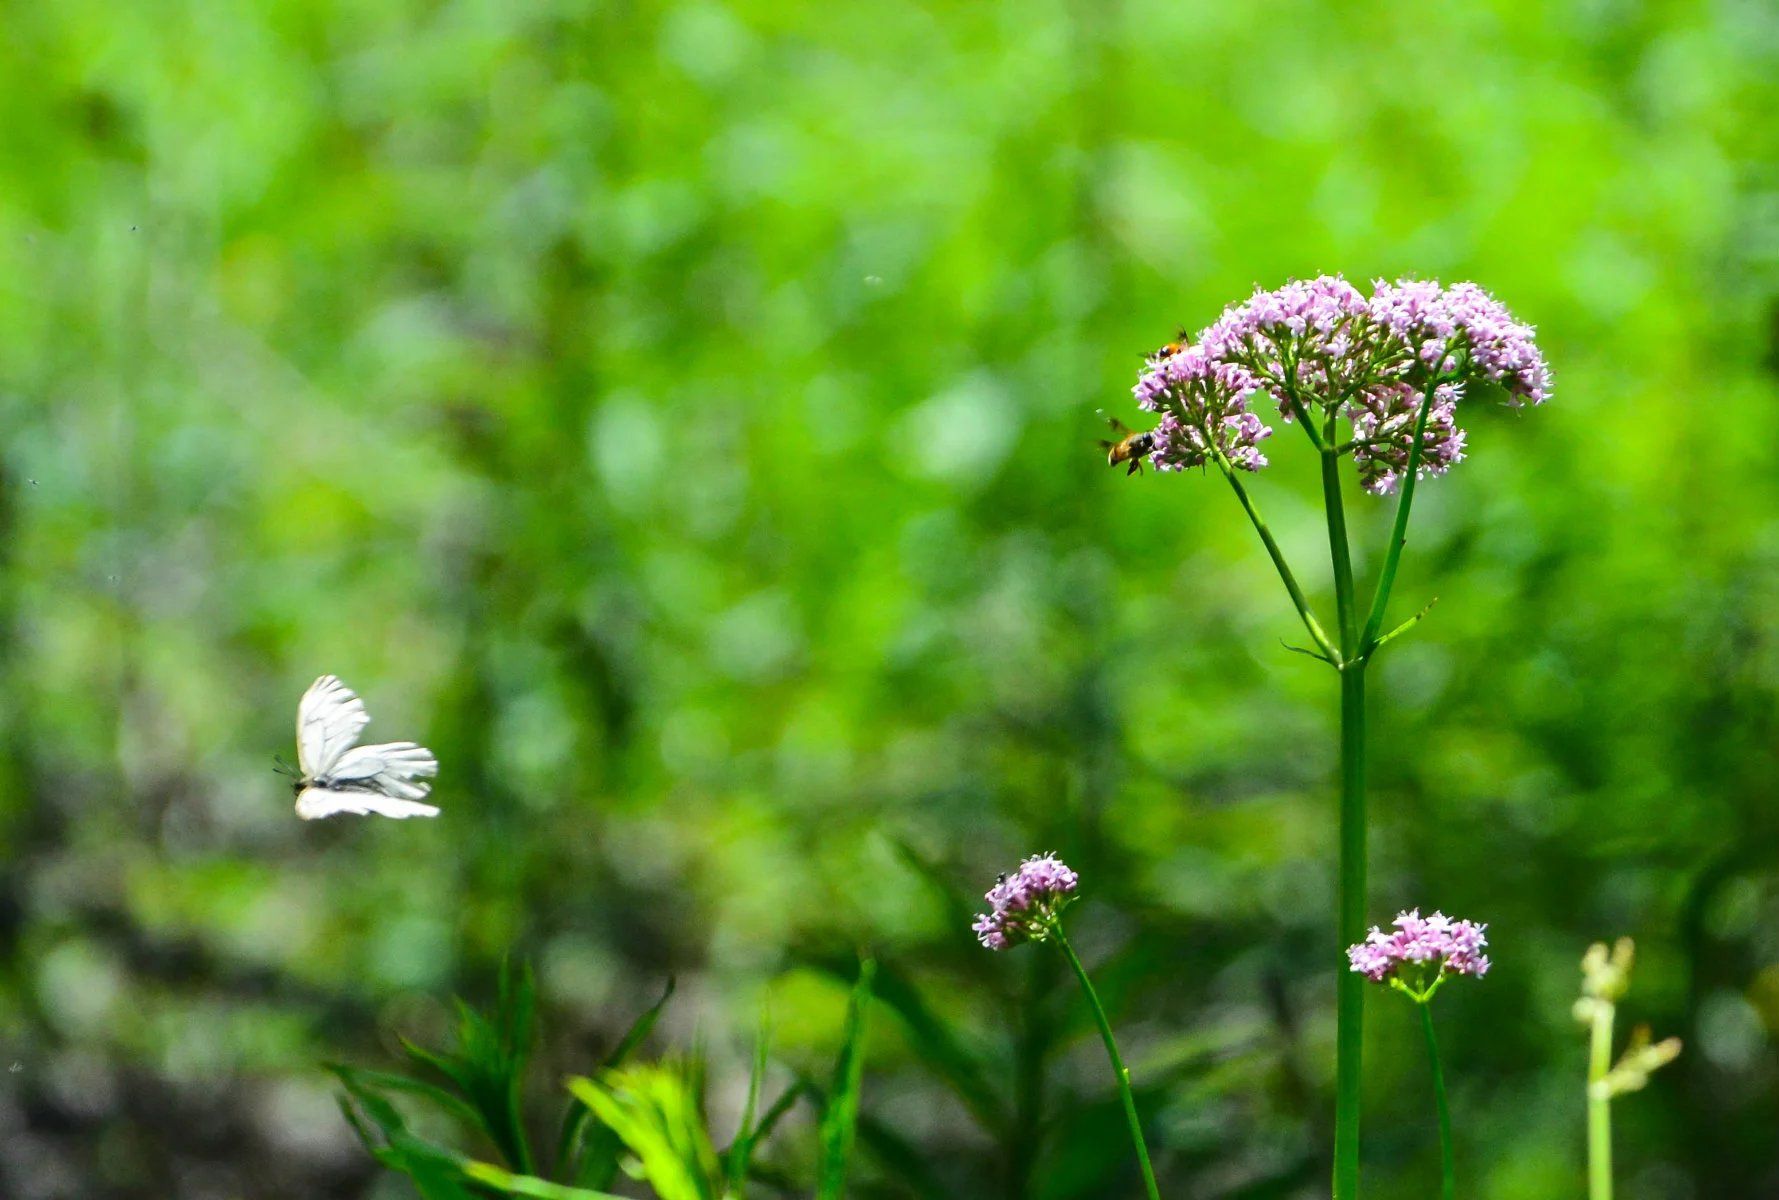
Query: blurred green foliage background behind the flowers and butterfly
x: 680, y: 417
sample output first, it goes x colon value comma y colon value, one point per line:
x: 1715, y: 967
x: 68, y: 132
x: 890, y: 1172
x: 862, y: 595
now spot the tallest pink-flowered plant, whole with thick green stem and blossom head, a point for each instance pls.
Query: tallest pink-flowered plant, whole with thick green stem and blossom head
x: 1378, y: 381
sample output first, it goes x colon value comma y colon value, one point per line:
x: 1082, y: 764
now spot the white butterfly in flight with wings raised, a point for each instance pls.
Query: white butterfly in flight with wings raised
x: 339, y: 776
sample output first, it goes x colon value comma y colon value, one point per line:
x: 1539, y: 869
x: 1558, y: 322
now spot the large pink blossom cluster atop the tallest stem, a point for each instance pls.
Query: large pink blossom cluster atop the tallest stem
x: 1324, y: 346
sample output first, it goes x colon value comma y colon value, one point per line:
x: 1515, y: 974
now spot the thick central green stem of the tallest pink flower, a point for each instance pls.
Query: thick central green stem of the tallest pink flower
x: 1349, y: 995
